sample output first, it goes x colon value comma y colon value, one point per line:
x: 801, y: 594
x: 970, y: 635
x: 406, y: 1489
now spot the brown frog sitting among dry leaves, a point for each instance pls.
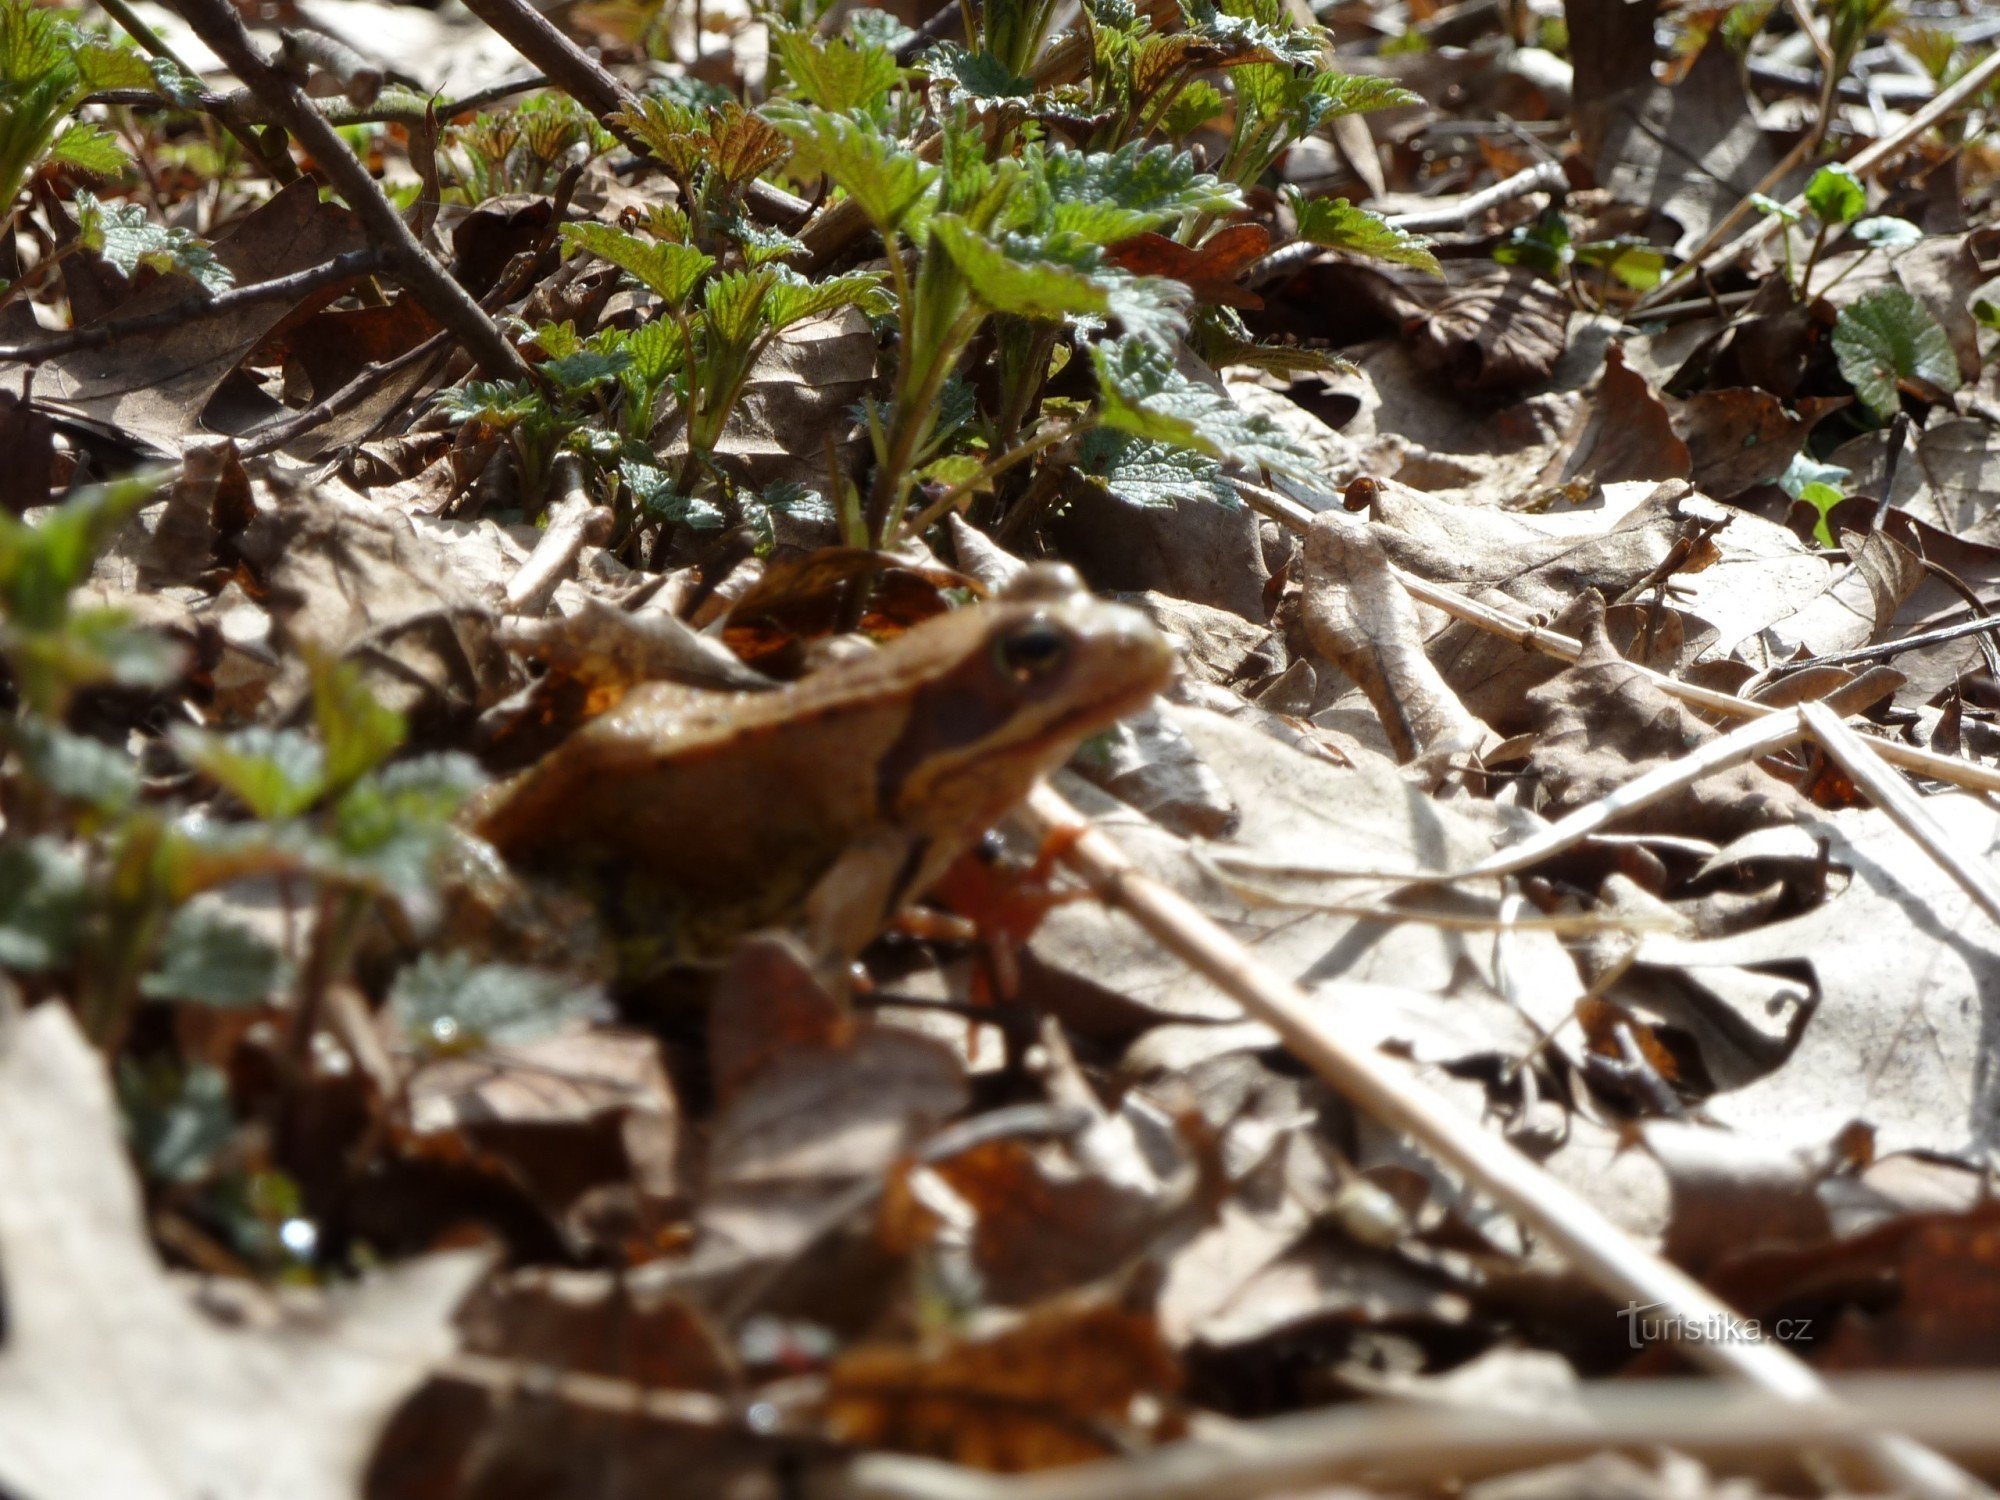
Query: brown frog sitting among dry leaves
x: 829, y: 805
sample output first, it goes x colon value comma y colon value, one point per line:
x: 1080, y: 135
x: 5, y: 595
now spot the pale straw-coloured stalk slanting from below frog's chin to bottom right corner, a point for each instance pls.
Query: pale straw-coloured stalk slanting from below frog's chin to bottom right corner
x: 1389, y: 1093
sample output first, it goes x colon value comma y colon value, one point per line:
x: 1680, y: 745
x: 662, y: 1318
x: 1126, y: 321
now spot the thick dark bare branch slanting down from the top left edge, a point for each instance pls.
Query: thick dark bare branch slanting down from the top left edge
x: 447, y: 301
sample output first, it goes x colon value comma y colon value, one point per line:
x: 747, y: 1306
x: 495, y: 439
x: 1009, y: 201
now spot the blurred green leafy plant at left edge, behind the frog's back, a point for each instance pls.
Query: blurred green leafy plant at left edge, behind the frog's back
x: 99, y: 887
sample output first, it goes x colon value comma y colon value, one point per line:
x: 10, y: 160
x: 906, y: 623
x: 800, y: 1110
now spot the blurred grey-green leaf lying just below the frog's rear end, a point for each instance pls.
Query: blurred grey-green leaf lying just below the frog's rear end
x: 451, y: 1003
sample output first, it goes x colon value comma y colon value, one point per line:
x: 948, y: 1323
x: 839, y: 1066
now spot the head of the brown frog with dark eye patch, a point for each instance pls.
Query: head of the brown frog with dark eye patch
x: 1011, y: 689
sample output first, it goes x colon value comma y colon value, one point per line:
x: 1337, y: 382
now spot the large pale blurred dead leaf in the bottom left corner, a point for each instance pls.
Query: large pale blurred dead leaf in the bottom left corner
x: 113, y: 1383
